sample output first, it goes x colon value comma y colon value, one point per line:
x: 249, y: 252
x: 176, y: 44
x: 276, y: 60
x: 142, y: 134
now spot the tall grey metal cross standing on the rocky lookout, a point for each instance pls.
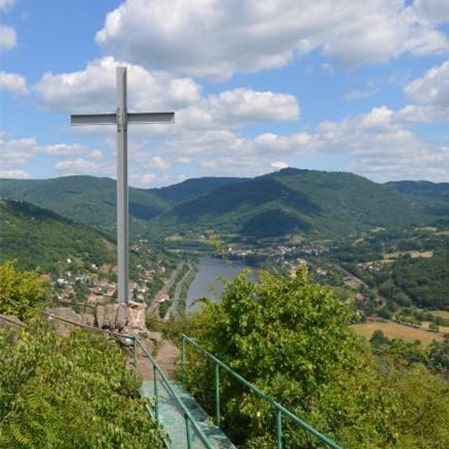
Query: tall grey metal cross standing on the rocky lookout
x: 121, y: 118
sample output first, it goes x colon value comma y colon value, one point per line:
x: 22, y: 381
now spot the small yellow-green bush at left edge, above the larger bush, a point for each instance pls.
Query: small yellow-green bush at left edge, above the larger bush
x: 20, y: 291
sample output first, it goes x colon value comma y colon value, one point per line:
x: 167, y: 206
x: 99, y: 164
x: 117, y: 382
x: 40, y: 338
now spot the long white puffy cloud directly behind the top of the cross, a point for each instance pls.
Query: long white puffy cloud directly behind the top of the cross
x: 93, y: 91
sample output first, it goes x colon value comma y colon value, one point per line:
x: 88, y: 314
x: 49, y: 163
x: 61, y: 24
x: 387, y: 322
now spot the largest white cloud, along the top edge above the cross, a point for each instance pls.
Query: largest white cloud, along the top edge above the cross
x: 216, y: 38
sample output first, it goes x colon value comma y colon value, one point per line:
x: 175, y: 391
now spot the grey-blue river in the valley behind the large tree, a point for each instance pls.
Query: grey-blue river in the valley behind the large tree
x: 206, y: 282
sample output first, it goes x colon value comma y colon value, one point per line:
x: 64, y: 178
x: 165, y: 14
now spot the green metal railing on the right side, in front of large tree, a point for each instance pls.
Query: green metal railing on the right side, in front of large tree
x: 280, y: 411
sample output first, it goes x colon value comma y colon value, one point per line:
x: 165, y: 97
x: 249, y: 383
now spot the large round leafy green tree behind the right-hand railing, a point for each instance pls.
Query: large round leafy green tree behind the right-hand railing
x: 291, y: 338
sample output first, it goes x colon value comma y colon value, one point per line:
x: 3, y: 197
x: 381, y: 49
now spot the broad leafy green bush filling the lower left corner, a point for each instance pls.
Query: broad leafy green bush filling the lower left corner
x: 69, y: 393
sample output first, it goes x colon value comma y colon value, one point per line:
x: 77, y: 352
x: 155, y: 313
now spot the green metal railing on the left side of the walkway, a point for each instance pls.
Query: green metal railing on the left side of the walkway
x: 191, y: 425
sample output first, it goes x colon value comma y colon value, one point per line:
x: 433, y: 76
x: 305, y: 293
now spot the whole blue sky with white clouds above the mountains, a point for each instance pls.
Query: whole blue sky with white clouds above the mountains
x: 336, y: 85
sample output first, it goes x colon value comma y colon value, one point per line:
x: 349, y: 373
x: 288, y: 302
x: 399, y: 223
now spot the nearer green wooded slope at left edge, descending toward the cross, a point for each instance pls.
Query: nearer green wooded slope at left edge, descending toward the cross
x: 37, y: 237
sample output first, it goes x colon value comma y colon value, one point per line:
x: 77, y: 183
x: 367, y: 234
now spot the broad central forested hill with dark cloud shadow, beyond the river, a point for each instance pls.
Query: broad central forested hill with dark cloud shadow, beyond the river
x: 307, y: 202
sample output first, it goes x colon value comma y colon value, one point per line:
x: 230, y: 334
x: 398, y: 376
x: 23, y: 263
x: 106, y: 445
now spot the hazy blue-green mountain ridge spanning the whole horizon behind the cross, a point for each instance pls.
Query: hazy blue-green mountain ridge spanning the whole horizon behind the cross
x: 290, y: 201
